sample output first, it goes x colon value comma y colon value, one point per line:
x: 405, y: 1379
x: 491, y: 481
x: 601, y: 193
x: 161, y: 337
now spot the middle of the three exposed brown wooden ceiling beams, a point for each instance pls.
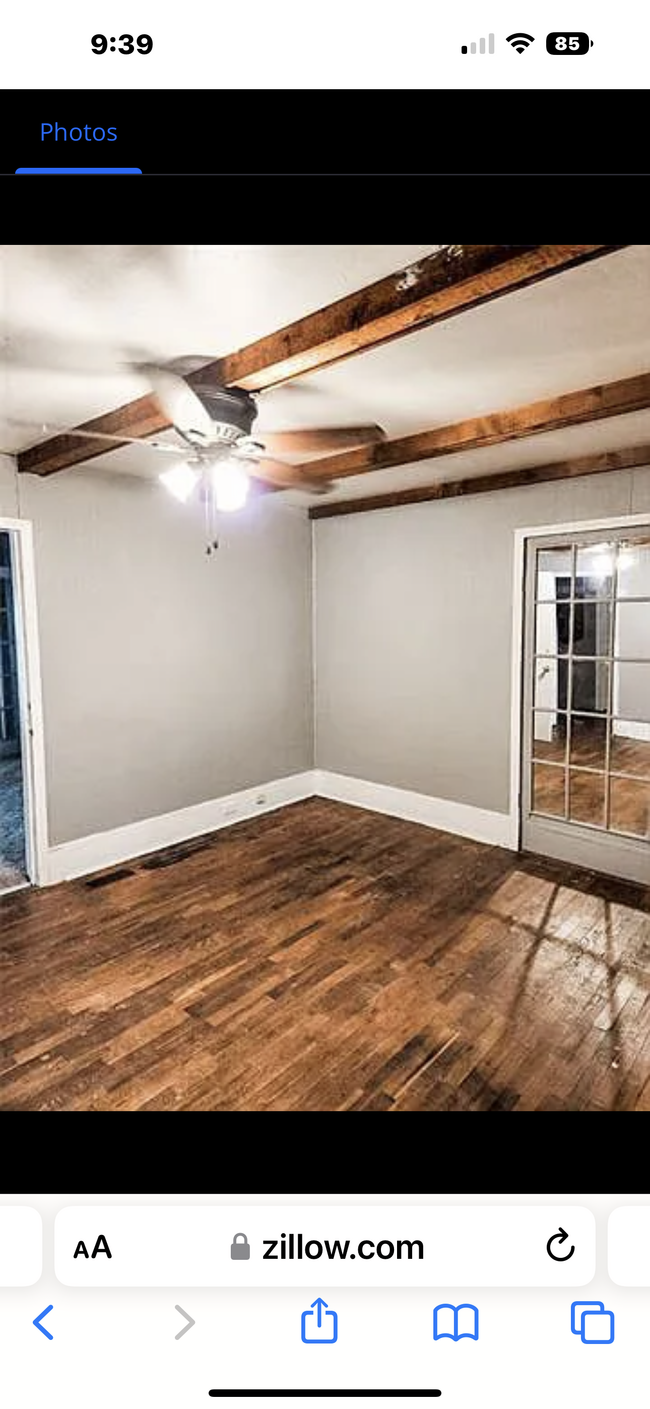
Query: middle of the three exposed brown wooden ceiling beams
x: 573, y: 409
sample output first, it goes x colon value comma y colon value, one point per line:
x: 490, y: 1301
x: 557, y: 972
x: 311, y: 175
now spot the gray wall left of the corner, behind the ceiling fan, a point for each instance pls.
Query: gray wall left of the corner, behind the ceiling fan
x: 168, y: 678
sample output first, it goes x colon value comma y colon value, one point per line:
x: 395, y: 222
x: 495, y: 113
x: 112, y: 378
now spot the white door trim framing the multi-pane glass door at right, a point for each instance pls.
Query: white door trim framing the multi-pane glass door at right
x: 518, y: 600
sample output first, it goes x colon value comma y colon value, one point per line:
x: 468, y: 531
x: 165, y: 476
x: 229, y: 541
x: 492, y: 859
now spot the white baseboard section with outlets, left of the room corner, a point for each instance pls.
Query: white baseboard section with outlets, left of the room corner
x: 108, y: 849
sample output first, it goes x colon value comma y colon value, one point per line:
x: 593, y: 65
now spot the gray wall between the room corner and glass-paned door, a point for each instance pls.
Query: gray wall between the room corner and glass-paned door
x: 414, y: 623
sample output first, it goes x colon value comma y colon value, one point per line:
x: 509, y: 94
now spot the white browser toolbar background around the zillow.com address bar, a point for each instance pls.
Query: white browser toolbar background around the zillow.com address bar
x: 118, y: 1348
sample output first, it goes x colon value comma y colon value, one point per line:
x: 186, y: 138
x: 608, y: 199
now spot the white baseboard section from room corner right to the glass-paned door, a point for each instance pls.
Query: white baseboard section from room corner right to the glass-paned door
x: 494, y: 828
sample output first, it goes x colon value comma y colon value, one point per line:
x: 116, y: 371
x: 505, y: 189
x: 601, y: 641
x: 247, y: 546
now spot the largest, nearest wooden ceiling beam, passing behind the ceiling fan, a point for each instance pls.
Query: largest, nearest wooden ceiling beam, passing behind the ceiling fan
x: 450, y: 281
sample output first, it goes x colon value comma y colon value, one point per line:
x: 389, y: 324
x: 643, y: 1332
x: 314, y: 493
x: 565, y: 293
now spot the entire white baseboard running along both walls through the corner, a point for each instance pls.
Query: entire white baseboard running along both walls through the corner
x: 109, y: 849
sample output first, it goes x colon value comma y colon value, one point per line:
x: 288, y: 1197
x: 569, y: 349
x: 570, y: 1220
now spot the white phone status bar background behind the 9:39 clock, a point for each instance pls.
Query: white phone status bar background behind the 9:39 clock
x: 342, y: 44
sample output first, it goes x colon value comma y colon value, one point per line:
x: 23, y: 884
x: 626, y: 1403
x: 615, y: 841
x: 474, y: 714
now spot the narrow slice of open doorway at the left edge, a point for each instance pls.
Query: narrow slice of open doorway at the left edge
x: 12, y: 788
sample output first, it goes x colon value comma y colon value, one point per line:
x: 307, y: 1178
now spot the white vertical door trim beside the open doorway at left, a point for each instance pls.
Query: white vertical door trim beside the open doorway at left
x: 32, y: 729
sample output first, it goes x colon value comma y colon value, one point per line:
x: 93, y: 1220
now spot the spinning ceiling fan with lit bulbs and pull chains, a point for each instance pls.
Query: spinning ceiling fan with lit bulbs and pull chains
x: 219, y: 454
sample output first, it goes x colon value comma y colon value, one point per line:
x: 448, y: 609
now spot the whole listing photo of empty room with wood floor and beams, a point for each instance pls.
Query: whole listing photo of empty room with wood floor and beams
x: 325, y: 678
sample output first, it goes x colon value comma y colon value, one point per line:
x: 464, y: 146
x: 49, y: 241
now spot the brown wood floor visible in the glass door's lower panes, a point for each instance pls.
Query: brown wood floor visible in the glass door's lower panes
x: 630, y: 797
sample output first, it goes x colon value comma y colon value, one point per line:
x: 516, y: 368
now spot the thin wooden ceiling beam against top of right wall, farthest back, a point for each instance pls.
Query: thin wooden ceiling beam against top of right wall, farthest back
x: 597, y: 464
